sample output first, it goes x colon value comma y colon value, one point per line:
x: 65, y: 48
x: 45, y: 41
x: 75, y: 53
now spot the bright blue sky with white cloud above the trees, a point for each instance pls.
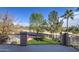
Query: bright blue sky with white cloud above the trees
x: 21, y: 14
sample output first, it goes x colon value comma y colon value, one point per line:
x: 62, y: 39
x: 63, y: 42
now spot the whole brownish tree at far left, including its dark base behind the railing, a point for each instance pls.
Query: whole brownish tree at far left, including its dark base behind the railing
x: 6, y: 27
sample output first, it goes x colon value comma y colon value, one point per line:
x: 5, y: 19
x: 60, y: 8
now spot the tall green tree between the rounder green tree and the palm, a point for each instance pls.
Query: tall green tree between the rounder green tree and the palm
x: 52, y: 21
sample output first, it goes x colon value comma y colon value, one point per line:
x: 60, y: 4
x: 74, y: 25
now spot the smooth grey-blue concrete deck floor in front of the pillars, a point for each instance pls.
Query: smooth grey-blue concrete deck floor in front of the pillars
x: 36, y: 48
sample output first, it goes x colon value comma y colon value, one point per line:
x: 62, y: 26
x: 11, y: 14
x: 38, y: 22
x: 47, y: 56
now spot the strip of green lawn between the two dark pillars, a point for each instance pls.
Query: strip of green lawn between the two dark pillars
x: 45, y: 41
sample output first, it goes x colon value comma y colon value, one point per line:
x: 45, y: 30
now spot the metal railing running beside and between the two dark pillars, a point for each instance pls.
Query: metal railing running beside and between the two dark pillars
x: 73, y: 40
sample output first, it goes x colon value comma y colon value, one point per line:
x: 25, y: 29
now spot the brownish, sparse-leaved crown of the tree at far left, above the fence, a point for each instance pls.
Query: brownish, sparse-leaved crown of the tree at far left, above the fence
x: 6, y: 24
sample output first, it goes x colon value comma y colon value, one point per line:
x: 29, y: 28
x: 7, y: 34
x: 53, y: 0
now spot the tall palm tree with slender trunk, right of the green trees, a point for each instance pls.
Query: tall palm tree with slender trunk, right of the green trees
x: 68, y: 15
